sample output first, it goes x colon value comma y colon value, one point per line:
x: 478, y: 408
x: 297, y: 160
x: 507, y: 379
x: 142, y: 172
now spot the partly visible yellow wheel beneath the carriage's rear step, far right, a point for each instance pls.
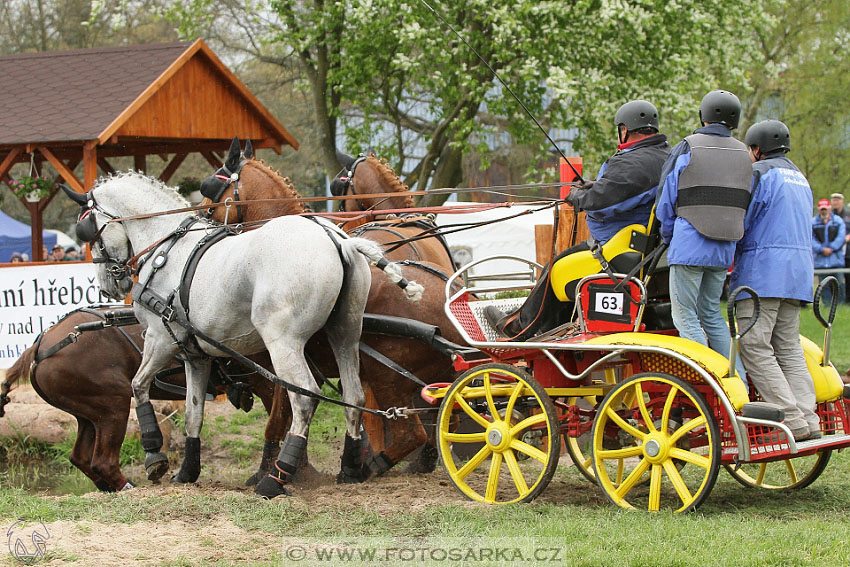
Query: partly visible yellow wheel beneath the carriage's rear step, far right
x: 787, y: 474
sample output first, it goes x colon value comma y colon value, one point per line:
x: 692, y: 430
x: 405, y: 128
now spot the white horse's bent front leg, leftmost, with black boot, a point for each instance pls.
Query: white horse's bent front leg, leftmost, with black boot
x: 158, y: 352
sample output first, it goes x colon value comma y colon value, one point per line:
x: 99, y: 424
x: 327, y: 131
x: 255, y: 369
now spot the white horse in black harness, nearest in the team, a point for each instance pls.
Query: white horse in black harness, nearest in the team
x: 266, y: 289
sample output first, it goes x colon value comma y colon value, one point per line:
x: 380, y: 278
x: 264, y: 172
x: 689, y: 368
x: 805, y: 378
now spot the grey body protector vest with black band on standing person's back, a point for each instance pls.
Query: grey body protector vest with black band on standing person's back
x: 715, y: 187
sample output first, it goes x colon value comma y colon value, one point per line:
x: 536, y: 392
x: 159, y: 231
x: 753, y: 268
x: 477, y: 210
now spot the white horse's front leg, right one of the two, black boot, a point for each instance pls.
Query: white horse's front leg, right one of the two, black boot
x: 197, y: 376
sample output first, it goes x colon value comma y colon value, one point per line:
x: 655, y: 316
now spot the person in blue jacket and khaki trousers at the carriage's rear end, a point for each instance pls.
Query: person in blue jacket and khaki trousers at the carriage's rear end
x: 774, y: 260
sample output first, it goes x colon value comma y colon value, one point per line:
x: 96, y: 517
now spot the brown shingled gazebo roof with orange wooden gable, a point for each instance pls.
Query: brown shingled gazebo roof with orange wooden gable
x: 159, y: 91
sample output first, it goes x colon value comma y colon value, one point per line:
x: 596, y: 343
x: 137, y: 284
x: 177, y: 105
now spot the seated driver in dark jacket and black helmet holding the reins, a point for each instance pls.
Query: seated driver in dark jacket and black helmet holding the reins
x: 623, y: 194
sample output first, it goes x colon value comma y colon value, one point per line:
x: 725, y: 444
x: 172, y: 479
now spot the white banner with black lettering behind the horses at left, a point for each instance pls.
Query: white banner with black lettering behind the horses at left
x: 32, y: 298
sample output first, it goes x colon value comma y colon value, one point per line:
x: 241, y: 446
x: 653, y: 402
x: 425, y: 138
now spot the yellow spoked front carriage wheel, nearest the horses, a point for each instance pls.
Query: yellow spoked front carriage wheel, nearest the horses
x: 516, y: 429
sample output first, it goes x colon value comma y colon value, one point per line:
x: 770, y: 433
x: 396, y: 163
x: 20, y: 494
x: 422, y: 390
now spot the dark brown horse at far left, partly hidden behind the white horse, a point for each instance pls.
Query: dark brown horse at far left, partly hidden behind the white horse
x: 90, y: 379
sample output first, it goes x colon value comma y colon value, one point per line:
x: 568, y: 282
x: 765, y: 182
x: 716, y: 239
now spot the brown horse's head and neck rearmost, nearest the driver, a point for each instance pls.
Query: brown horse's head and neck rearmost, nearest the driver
x: 367, y: 175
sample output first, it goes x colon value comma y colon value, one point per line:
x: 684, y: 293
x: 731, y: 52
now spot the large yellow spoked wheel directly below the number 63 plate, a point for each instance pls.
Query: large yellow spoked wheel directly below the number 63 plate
x: 666, y: 426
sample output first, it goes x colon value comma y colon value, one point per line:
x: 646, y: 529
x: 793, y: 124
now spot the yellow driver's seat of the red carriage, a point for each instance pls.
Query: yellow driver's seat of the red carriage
x: 622, y: 252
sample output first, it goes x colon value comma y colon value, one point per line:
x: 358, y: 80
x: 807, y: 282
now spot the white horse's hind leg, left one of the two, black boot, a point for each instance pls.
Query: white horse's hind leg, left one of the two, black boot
x: 289, y: 364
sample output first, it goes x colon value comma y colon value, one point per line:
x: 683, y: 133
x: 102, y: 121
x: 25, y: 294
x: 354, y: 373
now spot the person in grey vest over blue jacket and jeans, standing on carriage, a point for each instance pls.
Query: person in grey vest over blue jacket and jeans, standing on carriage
x: 704, y: 192
